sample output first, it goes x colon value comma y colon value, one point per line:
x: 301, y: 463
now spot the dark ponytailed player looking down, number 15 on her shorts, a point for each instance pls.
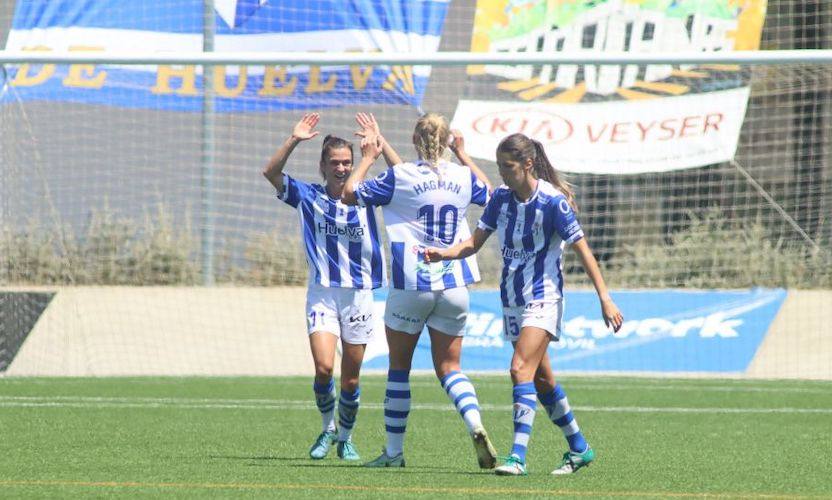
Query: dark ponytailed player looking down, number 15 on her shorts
x: 534, y: 217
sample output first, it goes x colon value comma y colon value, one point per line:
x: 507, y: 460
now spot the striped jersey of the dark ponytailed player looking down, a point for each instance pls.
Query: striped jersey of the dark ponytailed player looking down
x: 532, y: 238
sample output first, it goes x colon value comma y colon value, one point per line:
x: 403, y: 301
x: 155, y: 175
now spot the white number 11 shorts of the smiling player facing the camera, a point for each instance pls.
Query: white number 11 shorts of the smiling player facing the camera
x: 343, y: 312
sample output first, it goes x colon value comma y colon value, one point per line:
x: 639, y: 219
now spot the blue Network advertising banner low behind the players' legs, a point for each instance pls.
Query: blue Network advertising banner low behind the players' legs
x: 664, y: 331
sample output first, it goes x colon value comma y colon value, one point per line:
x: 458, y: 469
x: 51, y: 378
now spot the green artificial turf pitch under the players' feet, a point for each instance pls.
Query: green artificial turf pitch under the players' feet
x: 249, y: 437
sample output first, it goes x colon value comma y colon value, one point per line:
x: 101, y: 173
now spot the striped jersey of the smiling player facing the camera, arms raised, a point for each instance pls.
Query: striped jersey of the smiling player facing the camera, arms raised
x: 341, y: 242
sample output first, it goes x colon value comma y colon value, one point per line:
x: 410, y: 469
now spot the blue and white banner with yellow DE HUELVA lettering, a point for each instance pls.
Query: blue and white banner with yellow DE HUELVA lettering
x: 241, y: 25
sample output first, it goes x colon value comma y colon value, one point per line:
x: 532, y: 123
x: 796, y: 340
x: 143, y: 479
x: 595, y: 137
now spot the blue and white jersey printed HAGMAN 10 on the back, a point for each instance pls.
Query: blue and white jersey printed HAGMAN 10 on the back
x: 423, y: 209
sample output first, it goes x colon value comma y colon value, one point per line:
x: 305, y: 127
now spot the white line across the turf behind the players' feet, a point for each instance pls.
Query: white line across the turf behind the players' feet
x: 278, y: 404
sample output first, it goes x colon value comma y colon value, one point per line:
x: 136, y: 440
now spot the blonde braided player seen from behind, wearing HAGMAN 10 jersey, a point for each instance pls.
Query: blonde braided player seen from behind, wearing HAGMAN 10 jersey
x: 424, y: 203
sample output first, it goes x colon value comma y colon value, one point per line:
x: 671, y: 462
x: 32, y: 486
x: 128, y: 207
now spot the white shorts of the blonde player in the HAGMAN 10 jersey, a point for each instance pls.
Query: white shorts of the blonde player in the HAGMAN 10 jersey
x: 444, y: 310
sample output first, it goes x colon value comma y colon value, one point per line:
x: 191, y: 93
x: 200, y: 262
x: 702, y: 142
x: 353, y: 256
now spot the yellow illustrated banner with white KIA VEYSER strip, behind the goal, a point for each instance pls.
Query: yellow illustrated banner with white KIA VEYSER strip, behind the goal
x: 611, y: 119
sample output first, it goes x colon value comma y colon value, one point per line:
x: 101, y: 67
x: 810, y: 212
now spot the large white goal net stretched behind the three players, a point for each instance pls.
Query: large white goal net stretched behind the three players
x: 139, y: 236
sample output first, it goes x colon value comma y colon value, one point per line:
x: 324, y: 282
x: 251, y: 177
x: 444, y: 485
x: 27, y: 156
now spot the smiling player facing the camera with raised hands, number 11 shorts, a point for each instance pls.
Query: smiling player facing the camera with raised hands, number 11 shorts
x: 345, y: 264
